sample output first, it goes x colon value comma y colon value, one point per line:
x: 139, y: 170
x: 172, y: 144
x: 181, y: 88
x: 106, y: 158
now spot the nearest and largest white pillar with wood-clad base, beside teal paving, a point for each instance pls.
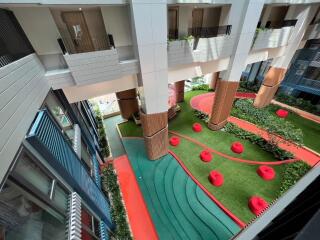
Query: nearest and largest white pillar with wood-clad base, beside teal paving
x: 149, y: 19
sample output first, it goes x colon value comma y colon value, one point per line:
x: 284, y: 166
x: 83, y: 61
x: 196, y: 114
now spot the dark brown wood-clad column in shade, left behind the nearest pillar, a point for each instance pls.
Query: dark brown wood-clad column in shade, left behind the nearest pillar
x: 128, y: 103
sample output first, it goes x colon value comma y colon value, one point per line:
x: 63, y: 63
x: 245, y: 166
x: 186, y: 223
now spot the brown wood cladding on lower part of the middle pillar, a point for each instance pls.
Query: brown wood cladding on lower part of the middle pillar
x: 223, y: 100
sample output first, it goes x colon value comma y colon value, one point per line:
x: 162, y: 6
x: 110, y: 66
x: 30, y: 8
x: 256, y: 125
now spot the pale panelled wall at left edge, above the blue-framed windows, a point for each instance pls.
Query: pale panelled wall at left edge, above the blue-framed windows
x: 22, y: 91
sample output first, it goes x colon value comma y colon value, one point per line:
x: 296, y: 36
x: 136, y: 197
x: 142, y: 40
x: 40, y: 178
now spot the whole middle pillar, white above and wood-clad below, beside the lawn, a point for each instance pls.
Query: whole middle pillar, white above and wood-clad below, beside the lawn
x: 244, y: 16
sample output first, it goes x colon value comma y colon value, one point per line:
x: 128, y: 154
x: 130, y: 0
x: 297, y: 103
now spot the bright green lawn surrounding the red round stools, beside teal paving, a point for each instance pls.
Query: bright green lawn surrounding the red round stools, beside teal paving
x: 241, y: 180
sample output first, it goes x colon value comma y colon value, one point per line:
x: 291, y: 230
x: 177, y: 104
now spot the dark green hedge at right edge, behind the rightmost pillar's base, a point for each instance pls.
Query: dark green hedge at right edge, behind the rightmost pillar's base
x: 298, y: 102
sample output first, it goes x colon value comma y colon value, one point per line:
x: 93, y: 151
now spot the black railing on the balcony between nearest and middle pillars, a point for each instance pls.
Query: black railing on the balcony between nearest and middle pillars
x: 208, y: 32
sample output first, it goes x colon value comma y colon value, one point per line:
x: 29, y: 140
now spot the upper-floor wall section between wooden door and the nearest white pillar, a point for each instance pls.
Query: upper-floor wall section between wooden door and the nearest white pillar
x: 117, y: 22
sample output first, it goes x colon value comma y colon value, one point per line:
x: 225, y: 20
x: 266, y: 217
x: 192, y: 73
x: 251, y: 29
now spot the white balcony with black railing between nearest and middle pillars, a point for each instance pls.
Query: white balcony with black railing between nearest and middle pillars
x: 206, y: 45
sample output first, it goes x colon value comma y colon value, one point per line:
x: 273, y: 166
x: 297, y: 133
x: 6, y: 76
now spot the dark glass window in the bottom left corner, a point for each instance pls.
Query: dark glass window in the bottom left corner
x: 22, y: 217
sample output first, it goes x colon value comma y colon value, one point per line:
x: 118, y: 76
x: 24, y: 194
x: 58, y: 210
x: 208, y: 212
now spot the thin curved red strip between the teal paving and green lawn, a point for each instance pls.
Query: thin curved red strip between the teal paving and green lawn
x: 227, y: 211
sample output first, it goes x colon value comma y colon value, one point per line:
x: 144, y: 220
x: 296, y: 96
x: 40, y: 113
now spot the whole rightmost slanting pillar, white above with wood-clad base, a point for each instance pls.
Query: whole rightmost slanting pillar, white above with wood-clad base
x: 279, y: 66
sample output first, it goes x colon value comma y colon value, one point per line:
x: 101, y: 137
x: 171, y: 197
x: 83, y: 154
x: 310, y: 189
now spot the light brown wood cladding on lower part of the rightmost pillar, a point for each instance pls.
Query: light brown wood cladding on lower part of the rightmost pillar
x: 269, y: 86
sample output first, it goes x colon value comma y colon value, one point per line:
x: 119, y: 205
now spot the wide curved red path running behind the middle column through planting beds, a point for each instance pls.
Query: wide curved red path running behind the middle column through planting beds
x: 204, y: 103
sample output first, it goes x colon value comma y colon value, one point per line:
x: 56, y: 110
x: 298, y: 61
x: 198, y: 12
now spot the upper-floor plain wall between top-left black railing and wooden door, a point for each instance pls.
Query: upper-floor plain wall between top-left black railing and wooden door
x: 39, y: 27
